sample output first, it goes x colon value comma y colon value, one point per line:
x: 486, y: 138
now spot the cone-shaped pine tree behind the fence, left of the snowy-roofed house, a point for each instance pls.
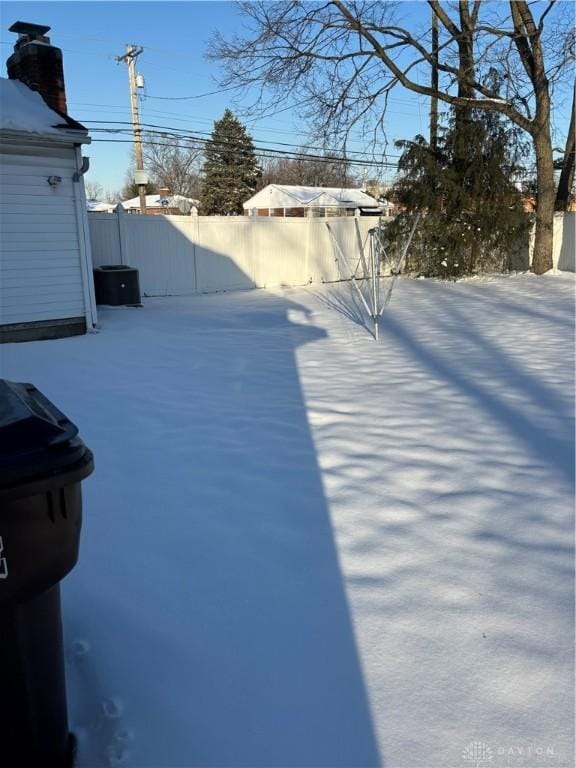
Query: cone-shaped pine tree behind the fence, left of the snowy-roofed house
x: 231, y: 172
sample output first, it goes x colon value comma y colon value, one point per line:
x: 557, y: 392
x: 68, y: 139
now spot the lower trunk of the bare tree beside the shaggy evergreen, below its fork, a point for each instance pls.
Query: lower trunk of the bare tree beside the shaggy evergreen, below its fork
x: 543, y: 238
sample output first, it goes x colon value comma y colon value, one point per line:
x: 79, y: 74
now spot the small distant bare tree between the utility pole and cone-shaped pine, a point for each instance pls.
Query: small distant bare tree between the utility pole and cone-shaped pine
x: 175, y: 164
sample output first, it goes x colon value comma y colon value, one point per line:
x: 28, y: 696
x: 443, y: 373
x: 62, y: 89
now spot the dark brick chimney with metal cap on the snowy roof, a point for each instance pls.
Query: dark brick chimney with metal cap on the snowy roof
x: 38, y: 64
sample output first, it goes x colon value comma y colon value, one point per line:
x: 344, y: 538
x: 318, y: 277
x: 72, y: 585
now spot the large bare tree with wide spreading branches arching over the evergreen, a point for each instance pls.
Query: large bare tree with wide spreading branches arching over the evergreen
x: 340, y: 60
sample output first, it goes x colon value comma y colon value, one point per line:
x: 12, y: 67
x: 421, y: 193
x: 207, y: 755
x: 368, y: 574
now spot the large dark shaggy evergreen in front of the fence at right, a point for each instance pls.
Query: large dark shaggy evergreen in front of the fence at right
x: 473, y: 218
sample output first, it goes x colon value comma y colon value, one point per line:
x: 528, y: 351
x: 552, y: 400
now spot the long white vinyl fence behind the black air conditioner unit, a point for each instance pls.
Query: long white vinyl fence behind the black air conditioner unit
x: 178, y: 255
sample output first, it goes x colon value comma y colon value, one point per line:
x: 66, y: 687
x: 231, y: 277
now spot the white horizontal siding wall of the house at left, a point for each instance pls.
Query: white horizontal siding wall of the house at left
x: 40, y: 252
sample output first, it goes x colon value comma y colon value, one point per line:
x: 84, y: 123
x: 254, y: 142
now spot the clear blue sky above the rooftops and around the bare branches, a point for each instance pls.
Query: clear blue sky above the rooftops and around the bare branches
x: 175, y: 37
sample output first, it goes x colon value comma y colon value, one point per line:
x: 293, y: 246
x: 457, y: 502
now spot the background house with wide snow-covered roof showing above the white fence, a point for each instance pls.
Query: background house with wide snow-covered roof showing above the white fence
x: 287, y: 200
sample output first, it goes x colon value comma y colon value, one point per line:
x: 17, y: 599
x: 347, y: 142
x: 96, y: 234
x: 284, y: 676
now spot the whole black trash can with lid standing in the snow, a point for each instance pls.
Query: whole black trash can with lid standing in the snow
x: 42, y: 464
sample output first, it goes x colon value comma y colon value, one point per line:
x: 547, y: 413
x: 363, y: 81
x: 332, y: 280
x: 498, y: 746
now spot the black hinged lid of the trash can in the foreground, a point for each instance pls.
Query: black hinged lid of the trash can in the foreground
x: 35, y: 437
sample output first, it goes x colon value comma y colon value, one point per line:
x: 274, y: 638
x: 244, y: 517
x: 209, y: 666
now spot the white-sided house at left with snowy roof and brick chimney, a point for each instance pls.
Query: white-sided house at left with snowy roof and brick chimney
x: 46, y: 285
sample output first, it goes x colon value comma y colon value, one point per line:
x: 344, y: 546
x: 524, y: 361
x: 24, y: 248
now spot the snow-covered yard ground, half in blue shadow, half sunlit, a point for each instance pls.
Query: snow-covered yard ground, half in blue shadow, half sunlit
x: 305, y: 548
